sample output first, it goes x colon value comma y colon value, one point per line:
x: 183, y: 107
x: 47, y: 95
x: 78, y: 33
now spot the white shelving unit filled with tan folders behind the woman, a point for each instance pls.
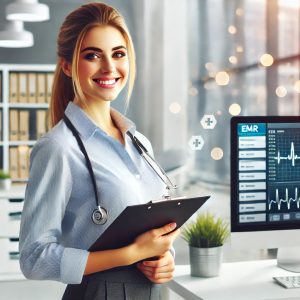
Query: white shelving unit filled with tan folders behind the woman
x: 25, y: 91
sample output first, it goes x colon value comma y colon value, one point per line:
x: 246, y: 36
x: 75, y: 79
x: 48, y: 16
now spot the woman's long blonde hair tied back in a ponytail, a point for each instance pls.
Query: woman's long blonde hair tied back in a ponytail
x: 72, y: 32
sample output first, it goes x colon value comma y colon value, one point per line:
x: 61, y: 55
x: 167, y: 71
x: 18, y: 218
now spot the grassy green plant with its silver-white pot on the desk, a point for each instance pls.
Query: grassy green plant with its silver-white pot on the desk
x: 206, y: 236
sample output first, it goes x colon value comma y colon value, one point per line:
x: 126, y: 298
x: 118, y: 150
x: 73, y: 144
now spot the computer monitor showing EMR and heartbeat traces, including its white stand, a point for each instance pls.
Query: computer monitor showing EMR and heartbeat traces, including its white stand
x: 265, y: 186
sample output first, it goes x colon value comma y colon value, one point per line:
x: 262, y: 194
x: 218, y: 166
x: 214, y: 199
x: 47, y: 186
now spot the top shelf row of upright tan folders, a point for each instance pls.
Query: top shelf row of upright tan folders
x: 30, y: 87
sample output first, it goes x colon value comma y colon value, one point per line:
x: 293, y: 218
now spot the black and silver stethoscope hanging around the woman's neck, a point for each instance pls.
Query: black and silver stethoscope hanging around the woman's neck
x: 100, y: 215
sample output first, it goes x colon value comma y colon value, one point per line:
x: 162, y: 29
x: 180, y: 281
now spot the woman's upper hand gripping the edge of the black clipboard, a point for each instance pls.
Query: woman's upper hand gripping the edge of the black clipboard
x: 155, y: 242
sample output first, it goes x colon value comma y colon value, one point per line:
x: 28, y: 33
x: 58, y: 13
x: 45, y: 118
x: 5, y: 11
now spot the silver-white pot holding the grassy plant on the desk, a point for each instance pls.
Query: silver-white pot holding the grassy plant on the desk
x: 206, y: 262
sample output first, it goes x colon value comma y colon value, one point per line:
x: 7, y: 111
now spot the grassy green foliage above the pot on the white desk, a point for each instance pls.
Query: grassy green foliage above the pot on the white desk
x: 206, y: 231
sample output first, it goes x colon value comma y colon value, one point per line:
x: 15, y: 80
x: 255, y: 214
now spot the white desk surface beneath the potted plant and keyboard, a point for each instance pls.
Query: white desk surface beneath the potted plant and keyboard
x: 251, y: 280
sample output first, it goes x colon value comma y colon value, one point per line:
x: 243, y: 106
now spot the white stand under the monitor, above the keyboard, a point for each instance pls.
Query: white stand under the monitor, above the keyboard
x: 289, y: 259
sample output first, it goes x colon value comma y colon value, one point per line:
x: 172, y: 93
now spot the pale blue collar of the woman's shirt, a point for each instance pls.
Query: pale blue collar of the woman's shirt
x: 86, y: 126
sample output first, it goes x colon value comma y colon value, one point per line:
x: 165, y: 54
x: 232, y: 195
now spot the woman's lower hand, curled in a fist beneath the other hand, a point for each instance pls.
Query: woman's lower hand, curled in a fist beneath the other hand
x: 160, y: 270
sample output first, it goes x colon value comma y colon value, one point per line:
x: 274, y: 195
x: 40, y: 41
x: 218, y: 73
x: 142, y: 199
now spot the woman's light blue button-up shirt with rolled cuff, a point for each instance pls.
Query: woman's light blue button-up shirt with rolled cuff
x: 56, y: 226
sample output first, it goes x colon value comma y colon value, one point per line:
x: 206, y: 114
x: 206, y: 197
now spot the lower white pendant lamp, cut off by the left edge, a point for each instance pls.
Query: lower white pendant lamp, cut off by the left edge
x: 14, y: 36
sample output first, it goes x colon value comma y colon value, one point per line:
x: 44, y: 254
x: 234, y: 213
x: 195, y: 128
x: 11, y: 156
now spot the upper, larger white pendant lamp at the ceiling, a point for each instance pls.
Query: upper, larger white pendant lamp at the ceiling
x: 28, y: 11
